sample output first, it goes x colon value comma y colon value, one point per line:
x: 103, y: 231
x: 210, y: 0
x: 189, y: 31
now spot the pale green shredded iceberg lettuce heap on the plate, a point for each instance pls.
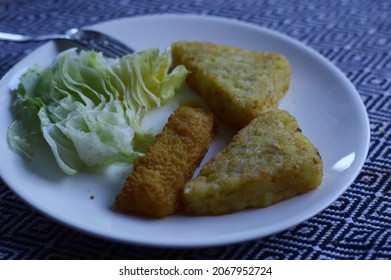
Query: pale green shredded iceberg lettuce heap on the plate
x: 89, y: 108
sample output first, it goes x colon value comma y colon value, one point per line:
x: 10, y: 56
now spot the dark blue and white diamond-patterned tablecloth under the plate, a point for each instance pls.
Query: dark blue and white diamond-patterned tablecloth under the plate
x: 356, y: 226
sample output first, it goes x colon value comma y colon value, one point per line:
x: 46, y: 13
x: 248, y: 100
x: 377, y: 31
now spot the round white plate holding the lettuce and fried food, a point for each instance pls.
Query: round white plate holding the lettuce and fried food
x: 326, y: 104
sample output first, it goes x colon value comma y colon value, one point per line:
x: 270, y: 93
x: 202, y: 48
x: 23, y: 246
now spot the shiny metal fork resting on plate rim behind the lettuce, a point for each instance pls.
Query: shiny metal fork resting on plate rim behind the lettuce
x: 89, y: 39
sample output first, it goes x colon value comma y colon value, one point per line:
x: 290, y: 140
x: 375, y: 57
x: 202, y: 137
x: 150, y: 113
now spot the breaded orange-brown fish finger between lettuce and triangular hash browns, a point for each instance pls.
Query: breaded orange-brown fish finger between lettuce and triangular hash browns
x: 155, y: 186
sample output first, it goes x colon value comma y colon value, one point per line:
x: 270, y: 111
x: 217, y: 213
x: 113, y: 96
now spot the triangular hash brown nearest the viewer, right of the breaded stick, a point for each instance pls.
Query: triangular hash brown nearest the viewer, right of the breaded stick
x: 268, y: 161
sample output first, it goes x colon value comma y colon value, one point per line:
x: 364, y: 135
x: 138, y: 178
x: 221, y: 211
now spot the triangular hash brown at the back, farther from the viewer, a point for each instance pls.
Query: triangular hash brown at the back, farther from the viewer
x: 235, y: 83
